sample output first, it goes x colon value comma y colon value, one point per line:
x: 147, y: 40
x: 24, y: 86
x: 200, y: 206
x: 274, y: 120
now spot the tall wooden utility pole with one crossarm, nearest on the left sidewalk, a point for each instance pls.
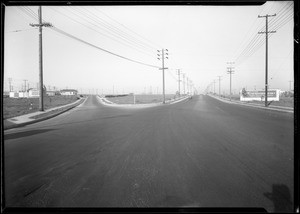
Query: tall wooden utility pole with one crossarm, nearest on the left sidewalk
x: 41, y: 25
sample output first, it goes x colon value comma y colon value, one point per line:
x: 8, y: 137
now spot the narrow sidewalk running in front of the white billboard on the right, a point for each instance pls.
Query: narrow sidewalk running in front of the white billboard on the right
x: 255, y: 105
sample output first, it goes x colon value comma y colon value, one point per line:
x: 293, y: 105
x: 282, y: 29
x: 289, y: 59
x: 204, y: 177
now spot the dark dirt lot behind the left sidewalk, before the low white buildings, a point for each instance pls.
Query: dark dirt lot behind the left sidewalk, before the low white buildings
x: 13, y: 107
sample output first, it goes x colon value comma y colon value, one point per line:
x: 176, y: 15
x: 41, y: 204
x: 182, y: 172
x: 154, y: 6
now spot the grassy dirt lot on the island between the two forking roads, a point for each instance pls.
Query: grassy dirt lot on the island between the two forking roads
x: 139, y: 99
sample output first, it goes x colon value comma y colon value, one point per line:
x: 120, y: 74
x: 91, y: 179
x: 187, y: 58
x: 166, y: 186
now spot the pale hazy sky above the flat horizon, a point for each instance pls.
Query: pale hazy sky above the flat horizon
x: 200, y: 41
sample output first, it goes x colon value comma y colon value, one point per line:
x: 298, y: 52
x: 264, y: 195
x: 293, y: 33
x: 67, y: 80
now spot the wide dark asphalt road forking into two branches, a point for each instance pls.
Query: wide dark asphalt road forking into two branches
x: 197, y: 153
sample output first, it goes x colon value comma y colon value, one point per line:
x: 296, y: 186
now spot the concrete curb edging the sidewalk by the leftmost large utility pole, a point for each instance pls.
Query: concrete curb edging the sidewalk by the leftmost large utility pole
x: 44, y: 118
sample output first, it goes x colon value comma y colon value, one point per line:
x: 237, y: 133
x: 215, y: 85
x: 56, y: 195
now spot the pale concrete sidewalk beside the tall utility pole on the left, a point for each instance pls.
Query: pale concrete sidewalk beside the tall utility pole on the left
x: 38, y: 116
